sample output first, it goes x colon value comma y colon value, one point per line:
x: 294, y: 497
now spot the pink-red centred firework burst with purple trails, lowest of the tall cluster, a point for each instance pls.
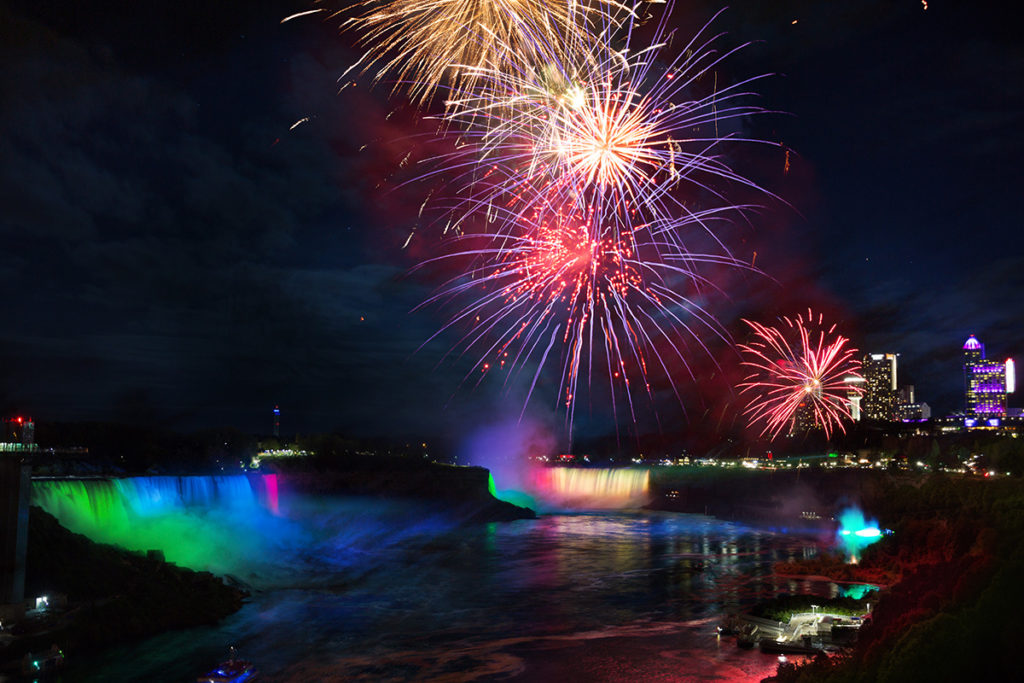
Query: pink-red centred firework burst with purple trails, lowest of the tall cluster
x: 567, y: 286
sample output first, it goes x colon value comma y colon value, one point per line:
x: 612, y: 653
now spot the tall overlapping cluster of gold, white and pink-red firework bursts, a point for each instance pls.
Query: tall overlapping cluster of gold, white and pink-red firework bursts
x: 580, y: 163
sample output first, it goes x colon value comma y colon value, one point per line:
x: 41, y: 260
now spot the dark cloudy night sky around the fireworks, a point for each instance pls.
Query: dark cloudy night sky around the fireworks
x: 175, y: 252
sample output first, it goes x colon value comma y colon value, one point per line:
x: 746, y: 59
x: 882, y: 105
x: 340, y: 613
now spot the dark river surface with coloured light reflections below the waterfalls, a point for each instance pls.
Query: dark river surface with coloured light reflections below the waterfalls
x: 598, y: 597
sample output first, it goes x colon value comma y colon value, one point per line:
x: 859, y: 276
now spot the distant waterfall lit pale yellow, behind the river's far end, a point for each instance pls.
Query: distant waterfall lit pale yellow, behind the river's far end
x: 591, y: 489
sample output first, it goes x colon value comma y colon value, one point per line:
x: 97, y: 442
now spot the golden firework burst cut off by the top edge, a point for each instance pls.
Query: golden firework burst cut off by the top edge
x: 428, y: 44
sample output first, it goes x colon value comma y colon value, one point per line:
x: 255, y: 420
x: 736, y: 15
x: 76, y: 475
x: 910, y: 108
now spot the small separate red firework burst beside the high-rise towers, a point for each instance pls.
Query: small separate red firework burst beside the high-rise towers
x: 799, y: 366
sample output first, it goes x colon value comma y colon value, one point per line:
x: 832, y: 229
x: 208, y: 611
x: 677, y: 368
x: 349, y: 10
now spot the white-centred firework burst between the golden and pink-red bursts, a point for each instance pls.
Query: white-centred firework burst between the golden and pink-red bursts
x: 610, y: 127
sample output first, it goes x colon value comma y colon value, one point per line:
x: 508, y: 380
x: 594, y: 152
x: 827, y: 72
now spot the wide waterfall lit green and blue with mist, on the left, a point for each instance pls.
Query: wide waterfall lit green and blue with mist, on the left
x: 232, y: 525
